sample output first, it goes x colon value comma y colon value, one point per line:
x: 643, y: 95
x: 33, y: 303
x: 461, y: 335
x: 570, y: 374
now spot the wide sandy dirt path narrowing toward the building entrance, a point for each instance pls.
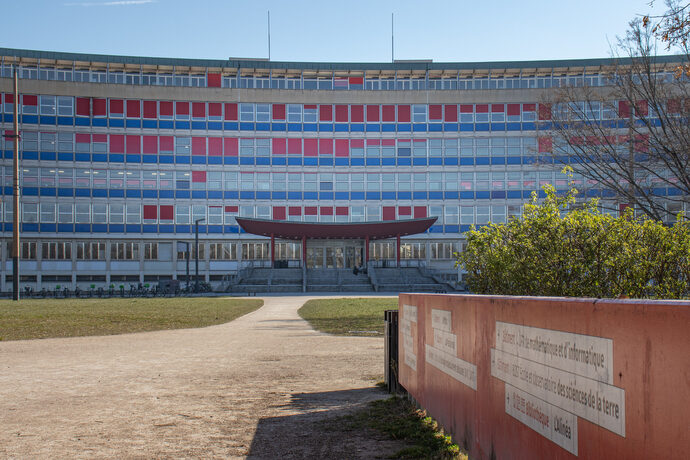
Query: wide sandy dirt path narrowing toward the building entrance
x: 262, y: 386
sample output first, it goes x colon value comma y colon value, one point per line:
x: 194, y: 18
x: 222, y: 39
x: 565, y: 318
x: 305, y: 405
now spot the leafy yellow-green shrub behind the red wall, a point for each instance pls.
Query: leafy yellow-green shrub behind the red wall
x: 558, y: 249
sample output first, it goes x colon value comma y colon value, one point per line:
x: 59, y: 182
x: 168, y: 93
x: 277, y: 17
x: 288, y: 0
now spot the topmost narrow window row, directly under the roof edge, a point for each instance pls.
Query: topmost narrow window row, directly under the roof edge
x: 399, y: 81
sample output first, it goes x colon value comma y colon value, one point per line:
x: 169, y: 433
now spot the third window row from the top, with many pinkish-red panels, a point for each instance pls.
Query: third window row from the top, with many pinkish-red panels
x: 247, y: 146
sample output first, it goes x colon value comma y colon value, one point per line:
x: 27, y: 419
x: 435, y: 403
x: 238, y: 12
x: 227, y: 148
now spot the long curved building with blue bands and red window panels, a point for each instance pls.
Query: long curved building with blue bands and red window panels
x: 120, y: 156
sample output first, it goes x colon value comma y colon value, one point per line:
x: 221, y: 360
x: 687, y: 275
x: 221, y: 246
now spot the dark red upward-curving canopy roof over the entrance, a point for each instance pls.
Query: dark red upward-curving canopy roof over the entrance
x: 319, y: 230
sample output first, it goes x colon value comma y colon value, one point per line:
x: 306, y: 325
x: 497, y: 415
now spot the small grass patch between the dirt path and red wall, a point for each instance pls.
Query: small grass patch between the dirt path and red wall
x: 362, y: 317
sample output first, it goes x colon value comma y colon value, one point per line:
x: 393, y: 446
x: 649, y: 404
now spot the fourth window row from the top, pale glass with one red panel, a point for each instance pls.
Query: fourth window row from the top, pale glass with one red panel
x: 528, y: 179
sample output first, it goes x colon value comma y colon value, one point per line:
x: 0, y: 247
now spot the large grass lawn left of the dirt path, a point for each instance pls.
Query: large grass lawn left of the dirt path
x: 43, y: 318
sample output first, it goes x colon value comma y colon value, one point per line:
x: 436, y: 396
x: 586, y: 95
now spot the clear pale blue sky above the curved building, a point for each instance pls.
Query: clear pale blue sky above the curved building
x: 340, y: 31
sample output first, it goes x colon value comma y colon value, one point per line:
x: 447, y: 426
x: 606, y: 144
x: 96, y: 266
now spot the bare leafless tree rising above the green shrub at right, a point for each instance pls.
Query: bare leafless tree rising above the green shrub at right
x: 631, y: 133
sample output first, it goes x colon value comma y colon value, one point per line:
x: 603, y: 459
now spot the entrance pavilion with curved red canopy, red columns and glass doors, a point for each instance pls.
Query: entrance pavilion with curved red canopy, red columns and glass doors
x: 337, y: 245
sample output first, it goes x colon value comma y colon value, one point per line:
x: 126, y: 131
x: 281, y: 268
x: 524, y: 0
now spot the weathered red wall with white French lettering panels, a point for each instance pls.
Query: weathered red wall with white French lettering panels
x: 528, y: 377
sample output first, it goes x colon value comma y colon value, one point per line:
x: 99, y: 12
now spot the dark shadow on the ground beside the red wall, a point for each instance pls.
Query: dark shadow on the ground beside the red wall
x: 319, y: 429
